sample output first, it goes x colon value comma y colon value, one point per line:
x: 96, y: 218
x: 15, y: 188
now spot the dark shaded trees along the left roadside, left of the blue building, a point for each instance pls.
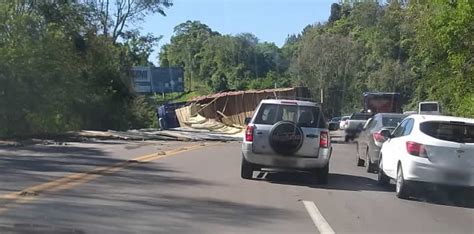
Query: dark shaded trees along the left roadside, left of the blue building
x: 63, y: 67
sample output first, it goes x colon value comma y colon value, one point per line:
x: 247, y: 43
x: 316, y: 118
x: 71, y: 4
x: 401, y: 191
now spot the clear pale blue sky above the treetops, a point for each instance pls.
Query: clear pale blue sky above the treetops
x: 269, y: 20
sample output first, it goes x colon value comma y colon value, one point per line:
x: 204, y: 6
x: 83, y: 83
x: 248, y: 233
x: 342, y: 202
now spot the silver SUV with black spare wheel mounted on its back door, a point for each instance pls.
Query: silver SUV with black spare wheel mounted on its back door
x: 289, y: 134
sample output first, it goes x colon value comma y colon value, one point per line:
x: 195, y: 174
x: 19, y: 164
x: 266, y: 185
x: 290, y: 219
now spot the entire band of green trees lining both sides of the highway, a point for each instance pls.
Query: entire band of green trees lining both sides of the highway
x: 64, y: 65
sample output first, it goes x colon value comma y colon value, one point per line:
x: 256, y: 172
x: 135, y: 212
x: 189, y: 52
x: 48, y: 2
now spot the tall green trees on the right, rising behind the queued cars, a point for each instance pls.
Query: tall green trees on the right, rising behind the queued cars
x: 422, y: 50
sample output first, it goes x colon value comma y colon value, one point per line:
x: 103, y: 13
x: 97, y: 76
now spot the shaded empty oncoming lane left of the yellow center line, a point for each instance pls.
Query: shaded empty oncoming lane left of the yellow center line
x: 22, y: 167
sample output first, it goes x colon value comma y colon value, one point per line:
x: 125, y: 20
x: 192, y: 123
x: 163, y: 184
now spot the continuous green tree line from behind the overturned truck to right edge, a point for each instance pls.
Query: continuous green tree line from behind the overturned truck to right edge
x: 422, y: 49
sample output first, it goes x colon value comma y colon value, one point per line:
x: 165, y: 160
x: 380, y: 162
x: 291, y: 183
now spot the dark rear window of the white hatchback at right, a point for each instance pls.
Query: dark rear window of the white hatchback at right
x: 449, y: 131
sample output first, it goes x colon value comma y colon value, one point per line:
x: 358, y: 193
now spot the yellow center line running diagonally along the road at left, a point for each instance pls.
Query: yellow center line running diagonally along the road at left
x: 11, y: 200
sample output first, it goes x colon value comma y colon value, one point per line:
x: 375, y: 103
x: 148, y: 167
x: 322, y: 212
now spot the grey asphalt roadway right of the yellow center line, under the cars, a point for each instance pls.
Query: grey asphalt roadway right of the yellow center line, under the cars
x: 200, y: 191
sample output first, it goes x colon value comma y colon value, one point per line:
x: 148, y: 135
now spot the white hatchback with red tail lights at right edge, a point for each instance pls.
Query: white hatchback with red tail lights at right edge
x: 428, y: 148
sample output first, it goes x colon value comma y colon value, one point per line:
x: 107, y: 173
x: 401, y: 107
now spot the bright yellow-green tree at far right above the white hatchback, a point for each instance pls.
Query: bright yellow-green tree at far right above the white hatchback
x: 442, y: 51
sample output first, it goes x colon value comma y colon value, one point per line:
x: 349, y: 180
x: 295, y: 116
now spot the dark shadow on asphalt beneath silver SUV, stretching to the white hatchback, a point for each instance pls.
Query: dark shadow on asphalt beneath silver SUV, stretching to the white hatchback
x: 336, y: 181
